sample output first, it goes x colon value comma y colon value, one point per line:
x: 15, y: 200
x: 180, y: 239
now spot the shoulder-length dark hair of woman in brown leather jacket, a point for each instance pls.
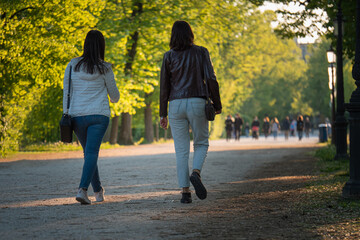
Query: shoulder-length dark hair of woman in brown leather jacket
x: 182, y: 36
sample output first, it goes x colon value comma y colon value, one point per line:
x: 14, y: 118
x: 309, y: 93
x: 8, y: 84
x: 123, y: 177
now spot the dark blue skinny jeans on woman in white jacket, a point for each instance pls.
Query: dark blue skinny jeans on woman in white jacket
x: 90, y: 131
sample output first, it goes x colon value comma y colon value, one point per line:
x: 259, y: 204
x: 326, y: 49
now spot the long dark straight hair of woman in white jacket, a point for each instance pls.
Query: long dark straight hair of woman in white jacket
x: 94, y: 52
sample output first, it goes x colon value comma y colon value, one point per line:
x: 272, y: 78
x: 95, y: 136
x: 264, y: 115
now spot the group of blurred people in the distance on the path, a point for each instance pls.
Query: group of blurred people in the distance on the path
x: 268, y: 127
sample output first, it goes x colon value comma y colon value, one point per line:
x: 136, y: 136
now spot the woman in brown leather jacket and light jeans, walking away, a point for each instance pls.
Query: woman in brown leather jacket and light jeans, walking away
x: 182, y: 85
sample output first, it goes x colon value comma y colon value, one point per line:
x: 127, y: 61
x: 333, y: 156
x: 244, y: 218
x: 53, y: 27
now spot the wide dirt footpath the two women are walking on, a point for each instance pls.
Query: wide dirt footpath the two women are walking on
x: 250, y: 184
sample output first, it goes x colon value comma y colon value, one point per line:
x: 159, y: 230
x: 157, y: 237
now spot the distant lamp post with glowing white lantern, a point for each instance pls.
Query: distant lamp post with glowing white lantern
x: 331, y: 57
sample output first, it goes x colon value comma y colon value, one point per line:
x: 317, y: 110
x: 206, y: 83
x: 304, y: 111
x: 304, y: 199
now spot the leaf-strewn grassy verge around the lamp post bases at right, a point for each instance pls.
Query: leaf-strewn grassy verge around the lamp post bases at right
x: 323, y: 206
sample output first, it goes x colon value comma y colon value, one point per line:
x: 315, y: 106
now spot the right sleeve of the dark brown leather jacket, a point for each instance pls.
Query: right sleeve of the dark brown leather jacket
x: 213, y: 85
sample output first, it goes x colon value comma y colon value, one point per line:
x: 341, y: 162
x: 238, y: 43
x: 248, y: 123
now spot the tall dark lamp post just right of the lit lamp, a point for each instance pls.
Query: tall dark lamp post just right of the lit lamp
x: 340, y: 121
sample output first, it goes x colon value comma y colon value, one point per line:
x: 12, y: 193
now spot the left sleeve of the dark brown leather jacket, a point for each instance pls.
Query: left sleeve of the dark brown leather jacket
x: 164, y: 85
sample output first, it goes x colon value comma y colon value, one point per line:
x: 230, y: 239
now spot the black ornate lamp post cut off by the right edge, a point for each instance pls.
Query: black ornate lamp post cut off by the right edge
x: 352, y: 186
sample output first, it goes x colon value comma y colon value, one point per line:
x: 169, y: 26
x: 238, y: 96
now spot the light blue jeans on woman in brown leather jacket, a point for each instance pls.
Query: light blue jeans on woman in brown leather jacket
x: 182, y: 114
